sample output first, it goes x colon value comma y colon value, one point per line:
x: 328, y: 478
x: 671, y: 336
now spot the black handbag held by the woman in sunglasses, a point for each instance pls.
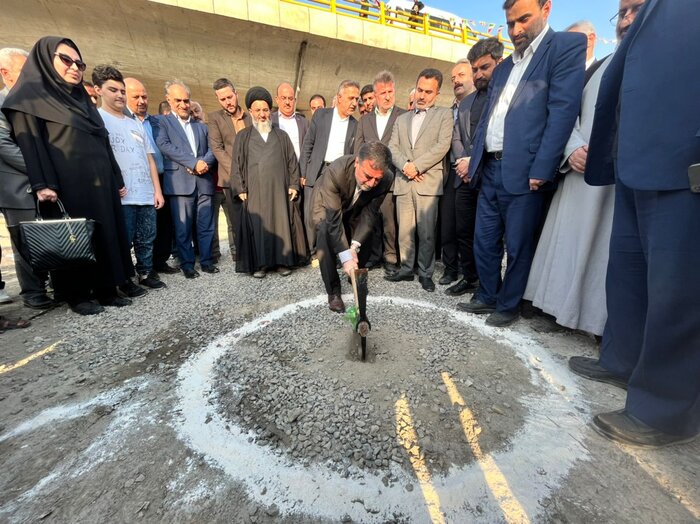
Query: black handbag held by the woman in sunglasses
x: 63, y: 243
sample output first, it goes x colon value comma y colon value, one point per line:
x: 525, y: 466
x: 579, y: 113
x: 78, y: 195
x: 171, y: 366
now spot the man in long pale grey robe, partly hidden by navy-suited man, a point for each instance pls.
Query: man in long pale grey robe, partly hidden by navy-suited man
x: 567, y: 279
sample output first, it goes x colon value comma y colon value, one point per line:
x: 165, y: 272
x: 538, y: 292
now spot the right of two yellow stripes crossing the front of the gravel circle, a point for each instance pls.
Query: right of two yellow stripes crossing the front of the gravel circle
x: 513, y: 512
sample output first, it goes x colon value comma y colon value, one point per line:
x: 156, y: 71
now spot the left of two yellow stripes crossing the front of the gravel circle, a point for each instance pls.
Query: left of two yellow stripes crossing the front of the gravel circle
x: 409, y: 439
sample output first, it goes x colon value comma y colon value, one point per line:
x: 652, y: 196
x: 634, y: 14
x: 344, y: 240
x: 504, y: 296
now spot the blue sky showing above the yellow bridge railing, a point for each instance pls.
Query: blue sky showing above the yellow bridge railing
x: 564, y: 12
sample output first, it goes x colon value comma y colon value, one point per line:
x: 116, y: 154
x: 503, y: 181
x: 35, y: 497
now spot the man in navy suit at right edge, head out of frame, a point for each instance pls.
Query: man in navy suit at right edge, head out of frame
x: 651, y: 343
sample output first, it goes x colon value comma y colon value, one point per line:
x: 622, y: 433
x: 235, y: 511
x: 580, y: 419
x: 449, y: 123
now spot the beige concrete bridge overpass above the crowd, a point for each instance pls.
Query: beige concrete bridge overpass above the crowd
x: 253, y: 42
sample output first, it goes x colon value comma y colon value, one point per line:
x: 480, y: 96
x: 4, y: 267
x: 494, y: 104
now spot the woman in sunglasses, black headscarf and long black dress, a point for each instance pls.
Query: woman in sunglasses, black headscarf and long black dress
x: 68, y: 156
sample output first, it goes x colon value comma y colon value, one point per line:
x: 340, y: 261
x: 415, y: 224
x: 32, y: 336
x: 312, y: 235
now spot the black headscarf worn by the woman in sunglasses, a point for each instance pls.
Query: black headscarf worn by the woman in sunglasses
x: 41, y: 92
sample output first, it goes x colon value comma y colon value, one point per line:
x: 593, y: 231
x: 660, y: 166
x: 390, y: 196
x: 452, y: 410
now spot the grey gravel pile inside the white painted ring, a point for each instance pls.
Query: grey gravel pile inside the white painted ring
x: 298, y: 387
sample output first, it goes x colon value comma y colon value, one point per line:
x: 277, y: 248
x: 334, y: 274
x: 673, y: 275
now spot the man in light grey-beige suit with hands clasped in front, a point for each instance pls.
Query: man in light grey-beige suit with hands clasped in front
x: 419, y: 142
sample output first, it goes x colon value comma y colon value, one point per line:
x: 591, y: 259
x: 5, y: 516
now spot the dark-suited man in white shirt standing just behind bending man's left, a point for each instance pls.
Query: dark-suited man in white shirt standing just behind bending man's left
x: 330, y: 136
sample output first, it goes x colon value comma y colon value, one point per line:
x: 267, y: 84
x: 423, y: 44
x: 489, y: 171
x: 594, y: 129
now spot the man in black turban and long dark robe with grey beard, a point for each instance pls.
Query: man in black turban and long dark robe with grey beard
x: 265, y: 176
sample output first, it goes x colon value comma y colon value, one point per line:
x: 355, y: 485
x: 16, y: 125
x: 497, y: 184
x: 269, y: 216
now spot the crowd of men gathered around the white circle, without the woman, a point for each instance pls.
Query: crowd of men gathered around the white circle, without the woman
x: 508, y: 169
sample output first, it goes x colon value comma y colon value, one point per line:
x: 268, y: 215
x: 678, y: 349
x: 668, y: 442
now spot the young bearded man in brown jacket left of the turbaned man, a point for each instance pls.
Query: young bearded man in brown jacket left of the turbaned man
x: 224, y: 125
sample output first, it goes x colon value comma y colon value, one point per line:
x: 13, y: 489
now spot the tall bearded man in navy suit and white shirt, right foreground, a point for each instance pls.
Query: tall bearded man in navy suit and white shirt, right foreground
x: 534, y: 99
